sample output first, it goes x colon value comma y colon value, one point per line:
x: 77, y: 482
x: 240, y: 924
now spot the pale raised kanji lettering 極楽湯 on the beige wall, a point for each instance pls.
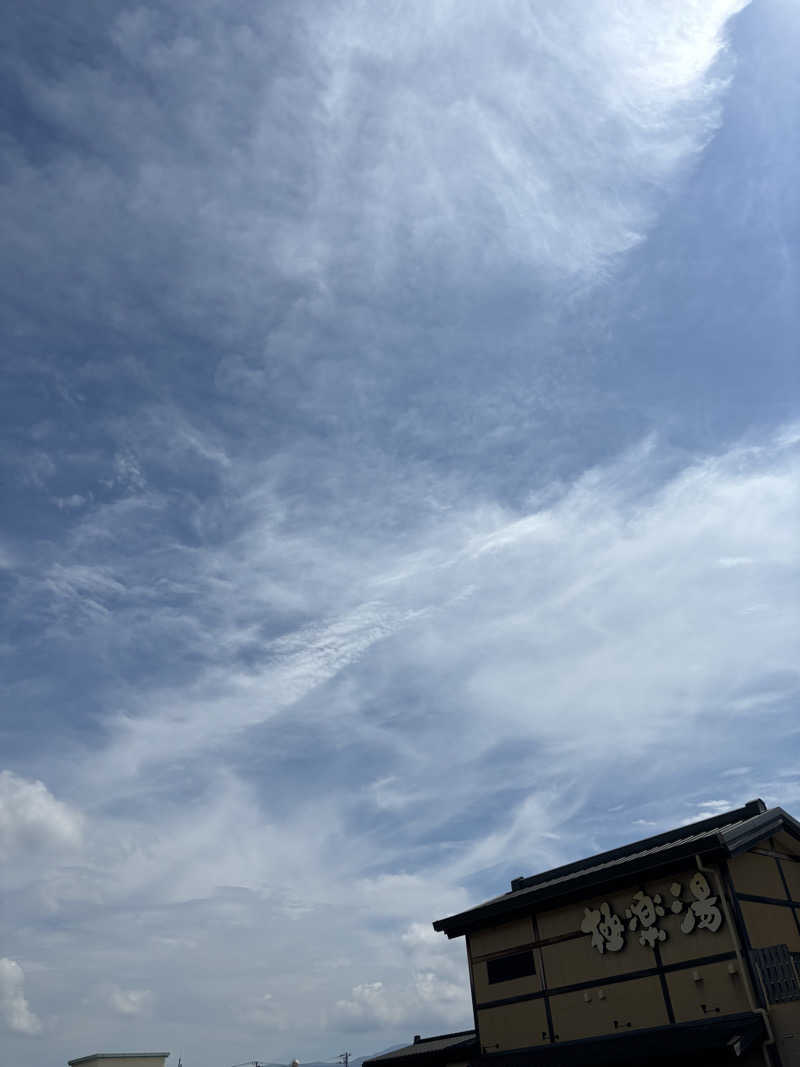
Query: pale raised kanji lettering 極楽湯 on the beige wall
x: 645, y: 914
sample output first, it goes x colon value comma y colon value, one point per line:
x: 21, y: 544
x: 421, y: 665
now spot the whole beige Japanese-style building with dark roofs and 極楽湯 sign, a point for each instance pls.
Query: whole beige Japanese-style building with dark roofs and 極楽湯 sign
x: 684, y: 947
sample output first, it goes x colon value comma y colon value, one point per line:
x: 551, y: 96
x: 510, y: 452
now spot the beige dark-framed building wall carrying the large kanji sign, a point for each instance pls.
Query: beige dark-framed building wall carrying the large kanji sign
x: 566, y: 951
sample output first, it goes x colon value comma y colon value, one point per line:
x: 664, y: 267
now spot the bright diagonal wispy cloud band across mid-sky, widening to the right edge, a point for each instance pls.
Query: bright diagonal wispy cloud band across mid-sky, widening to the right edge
x: 611, y: 561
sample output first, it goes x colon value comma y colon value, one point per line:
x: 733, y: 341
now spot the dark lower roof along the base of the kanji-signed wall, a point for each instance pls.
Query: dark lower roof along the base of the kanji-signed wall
x: 721, y: 1041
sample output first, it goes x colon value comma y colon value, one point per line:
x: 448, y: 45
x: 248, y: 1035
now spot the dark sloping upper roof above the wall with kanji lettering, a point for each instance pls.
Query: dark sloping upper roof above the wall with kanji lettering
x: 726, y: 834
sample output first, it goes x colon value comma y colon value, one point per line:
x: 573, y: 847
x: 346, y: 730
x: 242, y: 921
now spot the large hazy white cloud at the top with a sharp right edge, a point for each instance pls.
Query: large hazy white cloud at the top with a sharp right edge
x: 466, y: 148
